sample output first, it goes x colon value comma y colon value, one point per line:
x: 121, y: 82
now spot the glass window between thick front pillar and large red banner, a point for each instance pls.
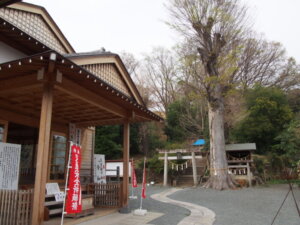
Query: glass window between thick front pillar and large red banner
x: 58, y: 157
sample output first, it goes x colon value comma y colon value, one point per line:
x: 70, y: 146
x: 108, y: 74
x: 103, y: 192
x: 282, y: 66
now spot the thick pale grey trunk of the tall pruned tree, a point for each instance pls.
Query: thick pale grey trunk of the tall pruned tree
x: 219, y: 177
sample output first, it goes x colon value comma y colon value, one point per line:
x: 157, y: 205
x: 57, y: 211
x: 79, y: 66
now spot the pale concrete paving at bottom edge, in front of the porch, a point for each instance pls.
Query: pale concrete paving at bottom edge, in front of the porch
x: 123, y: 219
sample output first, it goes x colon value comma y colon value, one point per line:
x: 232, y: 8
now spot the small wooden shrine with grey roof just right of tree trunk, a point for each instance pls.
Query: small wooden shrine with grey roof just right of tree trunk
x: 239, y: 157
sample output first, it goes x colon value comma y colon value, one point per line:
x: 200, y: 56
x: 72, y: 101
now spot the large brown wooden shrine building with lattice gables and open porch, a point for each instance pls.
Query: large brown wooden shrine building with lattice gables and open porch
x: 44, y: 87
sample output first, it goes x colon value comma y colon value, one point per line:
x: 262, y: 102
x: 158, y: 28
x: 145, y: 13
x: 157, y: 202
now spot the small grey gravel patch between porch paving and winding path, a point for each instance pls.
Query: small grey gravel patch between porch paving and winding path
x: 173, y: 214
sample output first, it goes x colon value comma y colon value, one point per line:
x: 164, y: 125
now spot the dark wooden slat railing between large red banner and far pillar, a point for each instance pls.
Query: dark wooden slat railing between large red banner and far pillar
x: 106, y: 195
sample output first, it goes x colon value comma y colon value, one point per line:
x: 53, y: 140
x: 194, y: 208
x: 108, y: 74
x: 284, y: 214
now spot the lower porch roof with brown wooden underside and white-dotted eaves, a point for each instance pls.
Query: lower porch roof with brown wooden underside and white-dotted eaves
x: 79, y: 96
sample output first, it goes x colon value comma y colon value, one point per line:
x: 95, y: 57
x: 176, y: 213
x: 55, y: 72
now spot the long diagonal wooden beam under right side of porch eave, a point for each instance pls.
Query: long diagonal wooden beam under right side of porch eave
x: 79, y: 92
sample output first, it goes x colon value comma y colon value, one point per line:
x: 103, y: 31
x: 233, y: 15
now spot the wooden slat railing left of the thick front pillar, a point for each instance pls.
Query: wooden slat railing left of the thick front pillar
x: 15, y: 207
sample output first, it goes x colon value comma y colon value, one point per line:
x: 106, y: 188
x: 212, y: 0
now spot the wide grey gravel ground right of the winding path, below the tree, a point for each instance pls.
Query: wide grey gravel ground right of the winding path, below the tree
x: 248, y: 206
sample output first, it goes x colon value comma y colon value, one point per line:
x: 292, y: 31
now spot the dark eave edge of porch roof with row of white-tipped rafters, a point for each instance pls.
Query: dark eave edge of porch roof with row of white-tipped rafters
x: 61, y: 60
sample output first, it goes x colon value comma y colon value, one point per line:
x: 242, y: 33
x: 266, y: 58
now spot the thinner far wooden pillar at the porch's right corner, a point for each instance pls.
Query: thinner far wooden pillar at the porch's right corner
x: 126, y: 132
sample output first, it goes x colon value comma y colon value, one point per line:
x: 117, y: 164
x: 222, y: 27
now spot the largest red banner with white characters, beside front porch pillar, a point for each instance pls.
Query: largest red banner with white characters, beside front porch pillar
x: 73, y: 203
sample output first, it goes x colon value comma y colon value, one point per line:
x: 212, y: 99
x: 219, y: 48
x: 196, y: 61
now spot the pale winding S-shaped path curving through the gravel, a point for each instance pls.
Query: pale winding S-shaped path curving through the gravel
x: 199, y: 215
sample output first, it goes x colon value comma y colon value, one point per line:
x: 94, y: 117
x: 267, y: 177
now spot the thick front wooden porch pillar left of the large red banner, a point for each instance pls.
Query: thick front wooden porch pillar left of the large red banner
x: 42, y: 156
